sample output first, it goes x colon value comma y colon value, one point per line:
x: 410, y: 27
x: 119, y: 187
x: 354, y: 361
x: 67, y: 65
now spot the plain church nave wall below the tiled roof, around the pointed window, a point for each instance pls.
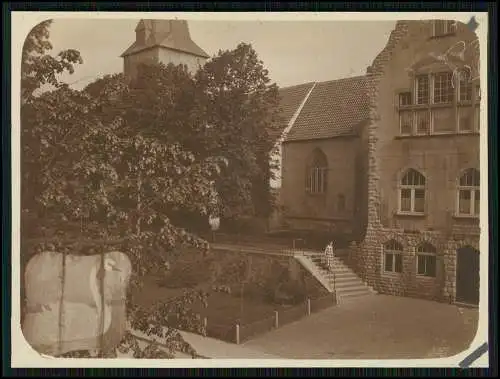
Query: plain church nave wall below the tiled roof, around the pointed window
x: 305, y: 211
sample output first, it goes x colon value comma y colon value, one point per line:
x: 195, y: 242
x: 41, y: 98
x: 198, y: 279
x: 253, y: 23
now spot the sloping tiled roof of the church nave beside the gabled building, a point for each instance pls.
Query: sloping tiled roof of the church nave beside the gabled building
x: 334, y: 108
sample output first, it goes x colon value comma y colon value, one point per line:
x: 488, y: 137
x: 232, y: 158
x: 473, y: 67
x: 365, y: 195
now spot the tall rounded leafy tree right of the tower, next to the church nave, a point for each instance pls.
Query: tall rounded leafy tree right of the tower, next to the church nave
x: 242, y: 109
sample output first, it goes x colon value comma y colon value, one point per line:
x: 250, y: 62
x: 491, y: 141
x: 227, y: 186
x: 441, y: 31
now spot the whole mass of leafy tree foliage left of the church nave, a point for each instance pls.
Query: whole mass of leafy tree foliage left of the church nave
x: 122, y: 160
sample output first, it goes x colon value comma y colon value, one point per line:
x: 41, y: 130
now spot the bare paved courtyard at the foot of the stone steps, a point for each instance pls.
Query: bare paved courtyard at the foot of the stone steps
x: 376, y: 327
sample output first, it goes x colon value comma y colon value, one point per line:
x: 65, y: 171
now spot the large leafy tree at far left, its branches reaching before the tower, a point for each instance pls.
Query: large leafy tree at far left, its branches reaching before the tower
x: 111, y: 155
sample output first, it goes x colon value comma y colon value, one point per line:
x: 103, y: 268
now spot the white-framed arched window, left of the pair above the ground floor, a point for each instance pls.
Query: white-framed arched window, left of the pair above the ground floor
x: 412, y: 192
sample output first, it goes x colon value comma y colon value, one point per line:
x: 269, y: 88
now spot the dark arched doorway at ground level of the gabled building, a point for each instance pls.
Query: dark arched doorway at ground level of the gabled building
x: 467, y: 282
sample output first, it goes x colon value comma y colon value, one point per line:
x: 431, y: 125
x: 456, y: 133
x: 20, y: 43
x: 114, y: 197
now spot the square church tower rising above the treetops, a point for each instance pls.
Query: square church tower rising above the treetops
x: 165, y: 41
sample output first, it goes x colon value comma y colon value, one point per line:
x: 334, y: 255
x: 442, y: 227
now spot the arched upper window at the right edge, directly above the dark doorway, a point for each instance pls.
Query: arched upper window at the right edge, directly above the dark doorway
x: 468, y: 193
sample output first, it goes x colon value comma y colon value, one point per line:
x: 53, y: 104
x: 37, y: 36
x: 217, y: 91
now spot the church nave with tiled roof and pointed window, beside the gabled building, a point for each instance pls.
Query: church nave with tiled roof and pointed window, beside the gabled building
x: 324, y: 157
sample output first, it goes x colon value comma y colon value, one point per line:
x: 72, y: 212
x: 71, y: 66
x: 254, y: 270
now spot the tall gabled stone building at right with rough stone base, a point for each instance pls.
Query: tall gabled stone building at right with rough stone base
x: 422, y: 237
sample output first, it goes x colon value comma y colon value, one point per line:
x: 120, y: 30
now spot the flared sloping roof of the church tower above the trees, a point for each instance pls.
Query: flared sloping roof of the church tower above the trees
x: 170, y: 34
